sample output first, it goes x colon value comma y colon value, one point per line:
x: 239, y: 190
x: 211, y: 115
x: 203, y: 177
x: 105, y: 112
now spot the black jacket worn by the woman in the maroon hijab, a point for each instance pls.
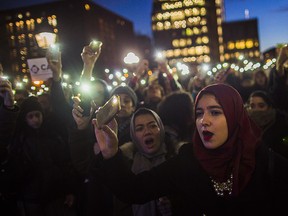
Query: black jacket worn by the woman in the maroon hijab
x: 183, y: 178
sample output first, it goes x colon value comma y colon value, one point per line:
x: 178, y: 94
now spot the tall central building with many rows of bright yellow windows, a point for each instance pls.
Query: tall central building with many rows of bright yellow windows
x: 189, y: 30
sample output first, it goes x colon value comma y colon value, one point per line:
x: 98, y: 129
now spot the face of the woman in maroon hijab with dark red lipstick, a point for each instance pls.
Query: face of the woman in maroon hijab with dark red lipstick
x: 211, y: 122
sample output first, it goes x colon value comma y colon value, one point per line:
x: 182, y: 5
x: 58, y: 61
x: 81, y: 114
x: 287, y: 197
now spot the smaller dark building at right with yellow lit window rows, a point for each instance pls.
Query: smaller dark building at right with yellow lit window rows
x: 241, y: 39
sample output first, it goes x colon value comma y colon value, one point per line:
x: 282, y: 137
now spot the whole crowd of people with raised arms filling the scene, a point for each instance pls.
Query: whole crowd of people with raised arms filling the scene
x: 214, y: 147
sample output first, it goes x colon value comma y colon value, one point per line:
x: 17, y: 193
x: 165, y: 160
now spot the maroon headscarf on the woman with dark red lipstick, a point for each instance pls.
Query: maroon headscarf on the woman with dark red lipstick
x: 237, y: 154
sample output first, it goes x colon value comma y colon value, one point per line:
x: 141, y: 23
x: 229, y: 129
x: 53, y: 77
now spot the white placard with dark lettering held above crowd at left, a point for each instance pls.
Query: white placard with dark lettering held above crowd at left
x: 39, y: 69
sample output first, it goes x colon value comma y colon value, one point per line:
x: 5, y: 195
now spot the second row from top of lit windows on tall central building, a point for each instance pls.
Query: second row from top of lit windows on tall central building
x: 179, y: 15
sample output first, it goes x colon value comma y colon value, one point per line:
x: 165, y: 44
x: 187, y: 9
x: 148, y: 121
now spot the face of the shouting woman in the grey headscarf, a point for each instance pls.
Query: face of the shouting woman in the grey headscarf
x: 147, y: 133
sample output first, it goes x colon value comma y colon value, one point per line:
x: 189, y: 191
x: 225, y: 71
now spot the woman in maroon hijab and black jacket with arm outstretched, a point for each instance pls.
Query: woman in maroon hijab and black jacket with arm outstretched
x: 225, y: 170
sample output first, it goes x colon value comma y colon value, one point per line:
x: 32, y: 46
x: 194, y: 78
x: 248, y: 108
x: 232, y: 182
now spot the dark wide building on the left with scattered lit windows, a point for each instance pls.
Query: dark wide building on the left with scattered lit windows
x: 76, y: 24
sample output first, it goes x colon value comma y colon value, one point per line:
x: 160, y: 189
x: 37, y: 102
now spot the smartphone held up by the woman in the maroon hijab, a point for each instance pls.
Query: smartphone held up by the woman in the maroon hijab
x: 108, y: 111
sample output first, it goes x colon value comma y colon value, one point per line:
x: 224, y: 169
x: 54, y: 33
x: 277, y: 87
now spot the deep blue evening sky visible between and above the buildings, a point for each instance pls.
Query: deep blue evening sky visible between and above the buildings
x: 272, y: 15
